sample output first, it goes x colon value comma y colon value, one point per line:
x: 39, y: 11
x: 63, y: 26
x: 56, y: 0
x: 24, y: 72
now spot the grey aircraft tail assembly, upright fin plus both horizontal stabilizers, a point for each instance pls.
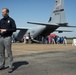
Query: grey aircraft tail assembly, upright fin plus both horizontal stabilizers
x: 58, y: 16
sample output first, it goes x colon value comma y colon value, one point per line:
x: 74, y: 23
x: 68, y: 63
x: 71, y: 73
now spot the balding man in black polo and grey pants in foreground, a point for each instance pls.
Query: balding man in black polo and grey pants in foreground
x: 7, y: 27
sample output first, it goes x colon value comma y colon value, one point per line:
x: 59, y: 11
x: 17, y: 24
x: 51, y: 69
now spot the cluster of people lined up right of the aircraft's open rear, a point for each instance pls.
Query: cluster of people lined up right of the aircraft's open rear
x: 54, y: 40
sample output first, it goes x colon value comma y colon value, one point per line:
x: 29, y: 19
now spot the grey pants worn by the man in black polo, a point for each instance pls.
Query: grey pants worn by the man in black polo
x: 5, y: 43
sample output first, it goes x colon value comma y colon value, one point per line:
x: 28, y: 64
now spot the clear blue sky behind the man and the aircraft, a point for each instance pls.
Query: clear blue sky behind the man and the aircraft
x: 23, y: 11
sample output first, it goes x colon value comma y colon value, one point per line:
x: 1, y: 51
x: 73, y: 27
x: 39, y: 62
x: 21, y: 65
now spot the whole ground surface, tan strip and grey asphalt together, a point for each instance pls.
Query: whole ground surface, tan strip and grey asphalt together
x: 42, y: 59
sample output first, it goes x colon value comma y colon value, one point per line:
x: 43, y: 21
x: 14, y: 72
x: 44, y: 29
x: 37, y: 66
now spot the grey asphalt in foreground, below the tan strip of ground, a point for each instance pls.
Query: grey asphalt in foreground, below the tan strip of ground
x: 47, y: 63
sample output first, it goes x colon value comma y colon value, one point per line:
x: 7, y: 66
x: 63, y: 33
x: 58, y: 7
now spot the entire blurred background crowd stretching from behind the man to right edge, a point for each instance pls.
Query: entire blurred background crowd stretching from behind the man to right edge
x: 44, y: 40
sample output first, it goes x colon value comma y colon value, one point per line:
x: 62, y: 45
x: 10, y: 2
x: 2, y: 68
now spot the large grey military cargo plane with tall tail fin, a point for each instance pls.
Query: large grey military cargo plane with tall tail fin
x: 56, y: 20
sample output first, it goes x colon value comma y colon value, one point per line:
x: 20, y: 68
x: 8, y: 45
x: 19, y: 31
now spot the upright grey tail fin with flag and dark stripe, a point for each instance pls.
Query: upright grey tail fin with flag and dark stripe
x: 58, y: 15
